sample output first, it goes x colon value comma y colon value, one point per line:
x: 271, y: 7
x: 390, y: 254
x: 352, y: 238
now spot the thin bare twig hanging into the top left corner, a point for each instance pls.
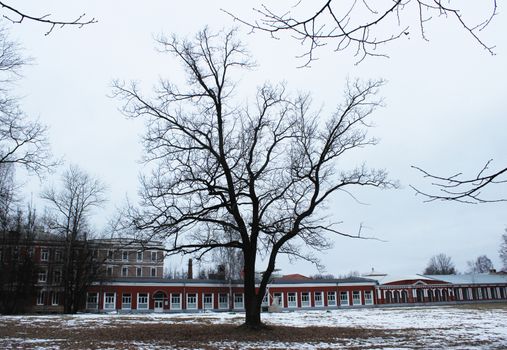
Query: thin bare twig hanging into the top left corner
x: 14, y: 15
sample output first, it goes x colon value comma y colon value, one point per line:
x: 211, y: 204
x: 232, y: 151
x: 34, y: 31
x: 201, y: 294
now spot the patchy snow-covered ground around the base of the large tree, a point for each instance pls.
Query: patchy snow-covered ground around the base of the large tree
x: 412, y: 327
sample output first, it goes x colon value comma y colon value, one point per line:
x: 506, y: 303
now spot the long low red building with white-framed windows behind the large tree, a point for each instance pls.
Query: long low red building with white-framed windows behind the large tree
x: 293, y: 292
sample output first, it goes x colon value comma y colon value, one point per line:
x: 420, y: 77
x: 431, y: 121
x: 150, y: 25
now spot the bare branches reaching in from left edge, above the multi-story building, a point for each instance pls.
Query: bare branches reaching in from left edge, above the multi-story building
x: 22, y: 141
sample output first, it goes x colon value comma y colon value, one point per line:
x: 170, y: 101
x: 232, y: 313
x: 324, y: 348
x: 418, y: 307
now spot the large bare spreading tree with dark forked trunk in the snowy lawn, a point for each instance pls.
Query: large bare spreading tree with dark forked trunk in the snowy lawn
x: 263, y: 171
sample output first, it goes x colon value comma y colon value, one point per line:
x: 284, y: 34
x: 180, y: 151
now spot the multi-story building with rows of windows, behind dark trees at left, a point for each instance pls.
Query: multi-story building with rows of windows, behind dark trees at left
x: 41, y: 270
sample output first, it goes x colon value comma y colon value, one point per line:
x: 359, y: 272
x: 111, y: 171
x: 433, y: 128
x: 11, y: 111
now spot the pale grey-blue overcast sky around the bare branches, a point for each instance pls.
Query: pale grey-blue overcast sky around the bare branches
x: 445, y: 111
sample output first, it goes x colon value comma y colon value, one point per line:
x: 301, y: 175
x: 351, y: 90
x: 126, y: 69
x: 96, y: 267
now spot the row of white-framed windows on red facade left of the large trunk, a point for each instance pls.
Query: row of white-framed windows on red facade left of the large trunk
x: 192, y: 299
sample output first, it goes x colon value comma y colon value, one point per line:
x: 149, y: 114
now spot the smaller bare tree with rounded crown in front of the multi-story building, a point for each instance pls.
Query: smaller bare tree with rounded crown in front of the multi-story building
x: 71, y: 207
